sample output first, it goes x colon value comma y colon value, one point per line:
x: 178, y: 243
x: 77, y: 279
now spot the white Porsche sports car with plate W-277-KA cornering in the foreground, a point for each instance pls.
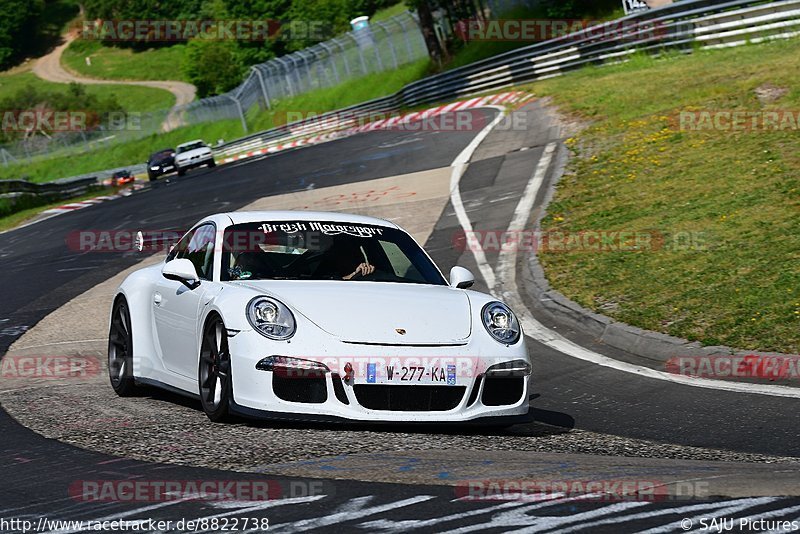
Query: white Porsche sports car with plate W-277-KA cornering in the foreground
x: 317, y: 316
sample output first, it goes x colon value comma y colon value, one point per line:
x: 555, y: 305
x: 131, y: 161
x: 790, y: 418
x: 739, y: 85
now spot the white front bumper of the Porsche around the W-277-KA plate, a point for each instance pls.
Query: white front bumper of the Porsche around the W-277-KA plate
x: 475, y: 394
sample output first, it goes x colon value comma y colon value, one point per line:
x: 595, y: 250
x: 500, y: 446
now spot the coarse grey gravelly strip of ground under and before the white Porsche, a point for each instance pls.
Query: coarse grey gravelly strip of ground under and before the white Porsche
x: 162, y: 427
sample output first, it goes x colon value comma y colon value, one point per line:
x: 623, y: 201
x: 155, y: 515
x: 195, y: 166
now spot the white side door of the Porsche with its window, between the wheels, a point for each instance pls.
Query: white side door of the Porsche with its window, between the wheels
x: 176, y: 308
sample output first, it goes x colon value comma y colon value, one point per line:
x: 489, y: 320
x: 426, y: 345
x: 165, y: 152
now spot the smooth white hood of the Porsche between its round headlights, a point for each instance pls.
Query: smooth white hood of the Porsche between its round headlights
x: 374, y: 312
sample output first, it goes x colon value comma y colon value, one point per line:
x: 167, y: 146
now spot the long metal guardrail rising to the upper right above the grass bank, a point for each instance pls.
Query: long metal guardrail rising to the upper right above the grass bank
x: 683, y: 26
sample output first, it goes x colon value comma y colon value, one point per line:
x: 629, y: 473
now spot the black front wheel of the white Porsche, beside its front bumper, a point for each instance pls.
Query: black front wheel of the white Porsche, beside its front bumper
x: 214, y: 378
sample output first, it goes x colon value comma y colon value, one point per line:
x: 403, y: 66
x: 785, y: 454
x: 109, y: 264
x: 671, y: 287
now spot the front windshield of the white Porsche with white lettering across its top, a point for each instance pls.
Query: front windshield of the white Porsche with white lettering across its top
x: 318, y: 250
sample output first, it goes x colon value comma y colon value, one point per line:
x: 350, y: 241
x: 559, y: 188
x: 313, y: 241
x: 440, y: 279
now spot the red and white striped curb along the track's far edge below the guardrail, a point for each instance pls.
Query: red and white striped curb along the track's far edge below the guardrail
x: 511, y: 97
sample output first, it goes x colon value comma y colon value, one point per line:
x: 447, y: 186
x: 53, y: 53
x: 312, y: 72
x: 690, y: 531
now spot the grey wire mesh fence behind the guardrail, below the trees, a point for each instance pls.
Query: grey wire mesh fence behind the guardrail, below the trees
x: 378, y: 47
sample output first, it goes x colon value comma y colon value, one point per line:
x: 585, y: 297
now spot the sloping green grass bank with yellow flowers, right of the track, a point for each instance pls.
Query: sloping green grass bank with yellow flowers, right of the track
x: 726, y: 202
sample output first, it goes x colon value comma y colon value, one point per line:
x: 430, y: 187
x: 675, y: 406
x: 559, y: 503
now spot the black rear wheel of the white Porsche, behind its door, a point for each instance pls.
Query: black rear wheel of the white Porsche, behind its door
x: 120, y: 350
